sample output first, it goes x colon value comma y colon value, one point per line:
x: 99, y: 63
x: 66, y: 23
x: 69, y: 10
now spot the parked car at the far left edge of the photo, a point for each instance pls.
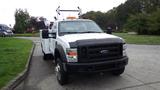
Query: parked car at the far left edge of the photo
x: 5, y: 30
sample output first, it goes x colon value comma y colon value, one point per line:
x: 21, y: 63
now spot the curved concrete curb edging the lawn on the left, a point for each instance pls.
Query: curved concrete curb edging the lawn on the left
x: 17, y: 80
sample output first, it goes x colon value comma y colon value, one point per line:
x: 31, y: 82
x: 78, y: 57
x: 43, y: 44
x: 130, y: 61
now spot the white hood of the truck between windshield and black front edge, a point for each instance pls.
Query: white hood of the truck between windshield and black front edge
x: 75, y: 37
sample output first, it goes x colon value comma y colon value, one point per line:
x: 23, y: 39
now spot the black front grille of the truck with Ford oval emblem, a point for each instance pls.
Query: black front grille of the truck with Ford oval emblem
x: 97, y: 53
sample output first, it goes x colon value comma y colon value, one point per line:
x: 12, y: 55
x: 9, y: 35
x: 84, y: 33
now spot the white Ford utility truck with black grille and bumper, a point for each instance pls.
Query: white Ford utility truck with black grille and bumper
x: 80, y: 46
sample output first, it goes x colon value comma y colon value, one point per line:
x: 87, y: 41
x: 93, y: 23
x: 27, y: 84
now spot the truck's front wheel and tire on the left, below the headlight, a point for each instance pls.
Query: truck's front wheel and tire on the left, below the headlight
x: 61, y: 75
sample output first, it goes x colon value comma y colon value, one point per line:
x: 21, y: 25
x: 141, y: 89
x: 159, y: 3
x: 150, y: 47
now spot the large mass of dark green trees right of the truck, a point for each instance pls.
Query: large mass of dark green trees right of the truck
x: 123, y: 15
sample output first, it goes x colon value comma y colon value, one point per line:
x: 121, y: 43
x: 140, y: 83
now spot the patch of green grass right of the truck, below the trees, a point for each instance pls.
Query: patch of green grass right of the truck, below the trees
x: 139, y: 39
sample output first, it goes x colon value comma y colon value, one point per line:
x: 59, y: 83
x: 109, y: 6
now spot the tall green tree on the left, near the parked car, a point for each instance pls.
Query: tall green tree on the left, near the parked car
x: 21, y: 20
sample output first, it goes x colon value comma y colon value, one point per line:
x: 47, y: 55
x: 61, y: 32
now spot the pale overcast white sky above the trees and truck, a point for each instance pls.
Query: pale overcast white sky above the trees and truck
x: 47, y: 8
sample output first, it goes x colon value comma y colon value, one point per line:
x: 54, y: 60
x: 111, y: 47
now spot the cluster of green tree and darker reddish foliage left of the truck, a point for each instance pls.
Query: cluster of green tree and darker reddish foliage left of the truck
x: 26, y: 23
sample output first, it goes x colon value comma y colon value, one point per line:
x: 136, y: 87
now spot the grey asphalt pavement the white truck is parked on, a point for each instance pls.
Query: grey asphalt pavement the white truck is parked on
x: 142, y: 73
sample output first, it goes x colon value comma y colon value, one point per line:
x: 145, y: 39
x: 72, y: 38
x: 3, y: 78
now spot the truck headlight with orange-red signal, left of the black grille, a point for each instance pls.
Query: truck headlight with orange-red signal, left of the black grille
x: 71, y: 55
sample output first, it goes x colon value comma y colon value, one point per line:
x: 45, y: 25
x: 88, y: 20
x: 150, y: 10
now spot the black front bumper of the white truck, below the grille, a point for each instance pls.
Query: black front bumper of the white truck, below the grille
x: 96, y: 66
